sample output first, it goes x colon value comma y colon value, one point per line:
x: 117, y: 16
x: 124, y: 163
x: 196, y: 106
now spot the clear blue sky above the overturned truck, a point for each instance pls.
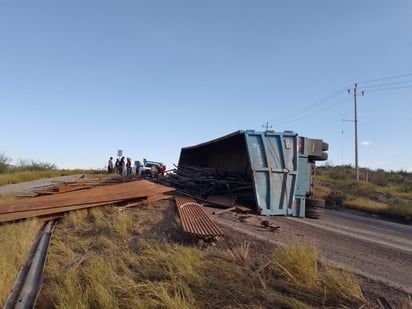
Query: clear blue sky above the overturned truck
x: 81, y: 79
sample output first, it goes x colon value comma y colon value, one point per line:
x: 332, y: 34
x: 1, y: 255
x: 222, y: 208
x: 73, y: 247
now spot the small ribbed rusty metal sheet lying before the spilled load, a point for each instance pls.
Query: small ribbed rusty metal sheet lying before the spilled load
x: 195, y: 220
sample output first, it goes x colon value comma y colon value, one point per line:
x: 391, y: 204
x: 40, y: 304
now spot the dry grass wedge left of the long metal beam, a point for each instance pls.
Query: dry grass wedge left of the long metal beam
x: 15, y: 243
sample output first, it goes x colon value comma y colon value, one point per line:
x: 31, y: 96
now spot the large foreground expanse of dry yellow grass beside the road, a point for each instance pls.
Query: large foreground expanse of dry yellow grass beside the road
x: 106, y: 258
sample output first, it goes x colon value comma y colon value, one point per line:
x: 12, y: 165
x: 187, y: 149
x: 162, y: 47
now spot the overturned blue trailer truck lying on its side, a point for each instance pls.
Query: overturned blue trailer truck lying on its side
x: 278, y: 166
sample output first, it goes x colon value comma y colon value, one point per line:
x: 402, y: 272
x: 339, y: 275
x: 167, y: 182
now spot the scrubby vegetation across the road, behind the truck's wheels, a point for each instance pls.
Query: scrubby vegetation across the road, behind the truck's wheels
x: 388, y: 194
